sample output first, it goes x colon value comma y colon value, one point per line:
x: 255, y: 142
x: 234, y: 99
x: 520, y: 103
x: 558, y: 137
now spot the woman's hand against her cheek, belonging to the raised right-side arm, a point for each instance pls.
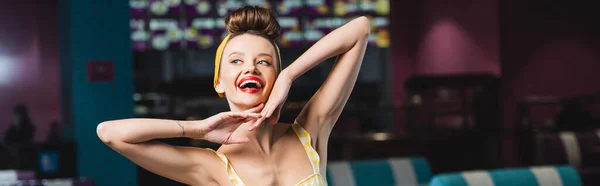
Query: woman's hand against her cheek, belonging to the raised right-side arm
x: 276, y: 100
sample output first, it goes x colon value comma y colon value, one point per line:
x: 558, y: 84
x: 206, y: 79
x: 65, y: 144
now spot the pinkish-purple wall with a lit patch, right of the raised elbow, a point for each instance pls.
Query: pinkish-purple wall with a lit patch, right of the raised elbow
x: 442, y: 37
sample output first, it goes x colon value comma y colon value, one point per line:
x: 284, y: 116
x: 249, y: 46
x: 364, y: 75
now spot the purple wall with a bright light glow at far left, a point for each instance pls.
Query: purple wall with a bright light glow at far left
x: 29, y: 63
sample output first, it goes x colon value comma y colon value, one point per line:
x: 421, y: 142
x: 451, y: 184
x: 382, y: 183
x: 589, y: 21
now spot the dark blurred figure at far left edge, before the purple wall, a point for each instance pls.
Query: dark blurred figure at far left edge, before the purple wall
x: 22, y: 128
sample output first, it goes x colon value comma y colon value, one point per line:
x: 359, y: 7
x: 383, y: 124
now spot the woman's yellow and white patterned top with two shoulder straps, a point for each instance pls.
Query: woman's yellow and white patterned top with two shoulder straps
x: 314, y: 179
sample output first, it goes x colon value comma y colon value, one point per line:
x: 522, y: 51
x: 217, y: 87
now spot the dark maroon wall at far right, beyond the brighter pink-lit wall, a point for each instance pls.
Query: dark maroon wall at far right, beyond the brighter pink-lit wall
x: 548, y: 48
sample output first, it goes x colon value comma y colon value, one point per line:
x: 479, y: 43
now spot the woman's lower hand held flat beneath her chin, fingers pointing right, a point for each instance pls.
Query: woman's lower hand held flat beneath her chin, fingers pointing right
x: 219, y: 128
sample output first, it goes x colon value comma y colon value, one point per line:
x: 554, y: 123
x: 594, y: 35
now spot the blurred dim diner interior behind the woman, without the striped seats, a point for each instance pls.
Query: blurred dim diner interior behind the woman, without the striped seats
x: 464, y: 84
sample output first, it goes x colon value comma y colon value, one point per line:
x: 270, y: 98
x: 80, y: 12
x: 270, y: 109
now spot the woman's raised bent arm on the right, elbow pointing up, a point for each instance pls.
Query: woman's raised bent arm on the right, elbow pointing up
x: 349, y: 43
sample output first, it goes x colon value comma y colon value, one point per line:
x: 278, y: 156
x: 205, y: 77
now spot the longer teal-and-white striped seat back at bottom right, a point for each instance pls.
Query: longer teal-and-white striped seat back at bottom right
x: 533, y: 176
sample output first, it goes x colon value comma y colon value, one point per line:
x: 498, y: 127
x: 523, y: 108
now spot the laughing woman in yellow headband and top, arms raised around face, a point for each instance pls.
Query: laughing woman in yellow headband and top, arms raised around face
x: 256, y: 150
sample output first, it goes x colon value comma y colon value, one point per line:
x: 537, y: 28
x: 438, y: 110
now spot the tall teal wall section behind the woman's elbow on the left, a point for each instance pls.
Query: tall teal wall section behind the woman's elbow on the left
x: 97, y: 32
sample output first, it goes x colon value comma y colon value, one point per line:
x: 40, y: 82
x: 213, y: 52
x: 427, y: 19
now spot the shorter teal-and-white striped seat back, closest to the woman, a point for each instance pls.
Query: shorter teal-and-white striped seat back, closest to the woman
x: 396, y: 171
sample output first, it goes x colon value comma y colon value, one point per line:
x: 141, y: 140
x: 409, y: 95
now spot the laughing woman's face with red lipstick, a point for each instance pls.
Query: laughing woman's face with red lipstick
x: 248, y: 70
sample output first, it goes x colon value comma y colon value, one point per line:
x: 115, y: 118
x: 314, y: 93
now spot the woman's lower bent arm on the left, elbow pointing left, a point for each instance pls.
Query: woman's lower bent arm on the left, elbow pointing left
x: 133, y: 138
